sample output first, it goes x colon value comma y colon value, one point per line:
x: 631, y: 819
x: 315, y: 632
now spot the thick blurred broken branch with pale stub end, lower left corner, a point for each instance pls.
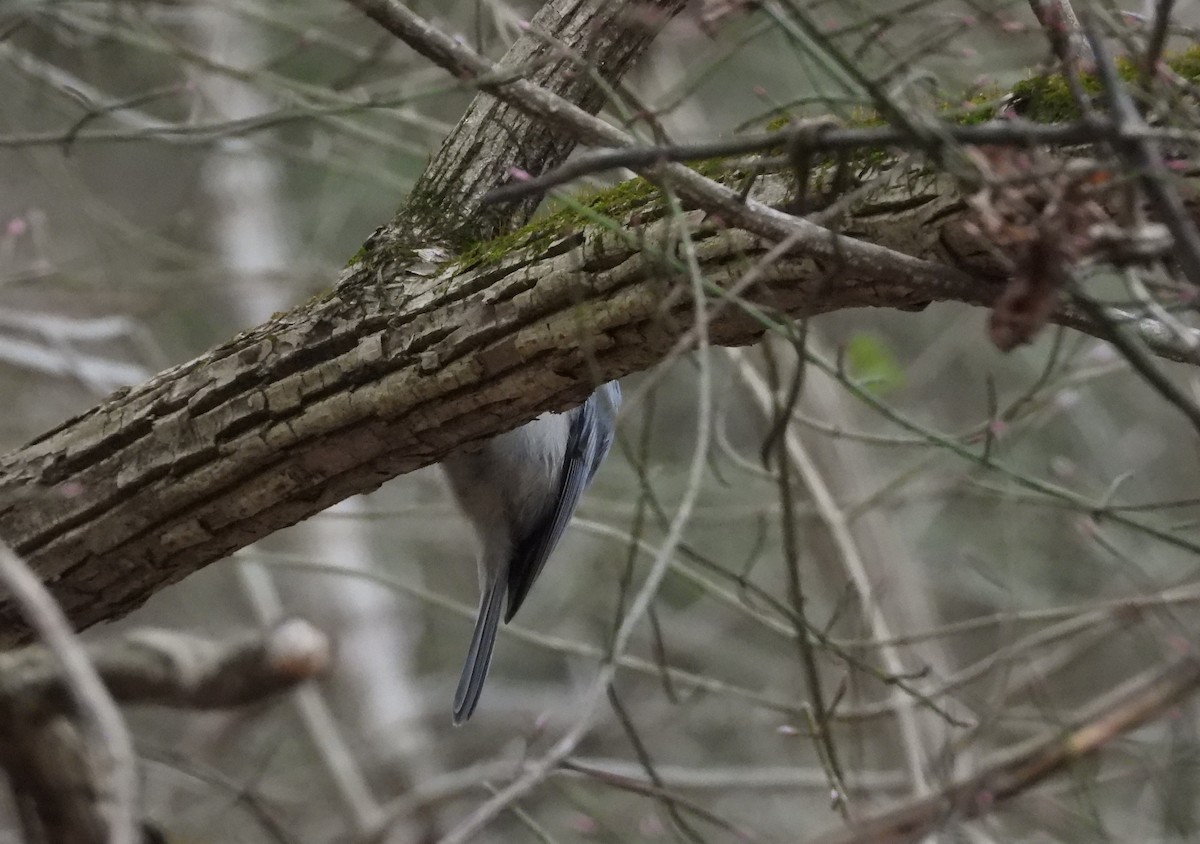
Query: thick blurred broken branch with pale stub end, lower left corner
x: 53, y: 771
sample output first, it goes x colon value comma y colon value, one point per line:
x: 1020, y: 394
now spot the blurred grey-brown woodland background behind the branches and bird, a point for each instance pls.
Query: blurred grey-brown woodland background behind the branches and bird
x: 175, y: 172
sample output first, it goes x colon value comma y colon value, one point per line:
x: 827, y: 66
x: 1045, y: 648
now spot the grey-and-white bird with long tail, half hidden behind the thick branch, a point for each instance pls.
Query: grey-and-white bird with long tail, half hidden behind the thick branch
x: 519, y: 492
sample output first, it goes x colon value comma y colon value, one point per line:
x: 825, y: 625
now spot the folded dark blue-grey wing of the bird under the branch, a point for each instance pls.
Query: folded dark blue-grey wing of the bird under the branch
x: 532, y: 552
